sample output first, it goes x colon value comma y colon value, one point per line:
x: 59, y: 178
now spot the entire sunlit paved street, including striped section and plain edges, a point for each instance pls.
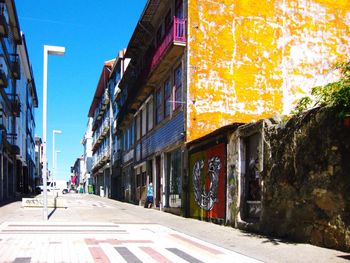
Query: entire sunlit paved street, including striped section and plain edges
x: 94, y: 229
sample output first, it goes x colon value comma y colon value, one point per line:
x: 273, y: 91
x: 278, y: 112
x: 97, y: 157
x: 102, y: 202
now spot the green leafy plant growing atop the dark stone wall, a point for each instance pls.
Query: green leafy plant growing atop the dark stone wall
x: 334, y: 94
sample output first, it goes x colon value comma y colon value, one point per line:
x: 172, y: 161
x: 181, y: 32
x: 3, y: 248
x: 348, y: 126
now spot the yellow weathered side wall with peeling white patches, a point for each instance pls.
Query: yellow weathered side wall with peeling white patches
x: 250, y: 59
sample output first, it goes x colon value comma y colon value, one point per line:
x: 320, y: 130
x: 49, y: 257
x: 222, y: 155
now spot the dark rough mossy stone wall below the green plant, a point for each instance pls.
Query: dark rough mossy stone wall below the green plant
x: 306, y: 180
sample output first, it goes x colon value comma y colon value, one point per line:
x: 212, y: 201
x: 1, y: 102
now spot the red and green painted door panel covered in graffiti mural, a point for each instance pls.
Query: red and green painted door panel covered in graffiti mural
x: 207, y: 183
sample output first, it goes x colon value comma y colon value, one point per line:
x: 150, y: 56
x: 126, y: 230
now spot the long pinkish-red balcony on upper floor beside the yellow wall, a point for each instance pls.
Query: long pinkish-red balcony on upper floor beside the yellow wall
x: 172, y: 47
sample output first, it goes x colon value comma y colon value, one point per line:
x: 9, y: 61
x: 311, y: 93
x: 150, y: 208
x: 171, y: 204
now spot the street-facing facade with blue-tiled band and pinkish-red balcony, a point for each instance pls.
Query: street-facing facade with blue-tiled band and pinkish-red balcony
x: 151, y: 106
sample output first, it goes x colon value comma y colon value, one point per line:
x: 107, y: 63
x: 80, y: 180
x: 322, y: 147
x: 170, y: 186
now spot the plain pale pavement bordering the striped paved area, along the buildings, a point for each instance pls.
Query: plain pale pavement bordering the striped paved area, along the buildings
x: 89, y: 209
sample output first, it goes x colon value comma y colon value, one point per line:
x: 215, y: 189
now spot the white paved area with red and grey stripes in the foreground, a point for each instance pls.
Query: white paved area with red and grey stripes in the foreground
x: 96, y: 242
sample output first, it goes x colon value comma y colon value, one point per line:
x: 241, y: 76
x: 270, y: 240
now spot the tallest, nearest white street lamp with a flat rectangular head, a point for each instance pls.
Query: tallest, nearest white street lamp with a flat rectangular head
x: 48, y: 50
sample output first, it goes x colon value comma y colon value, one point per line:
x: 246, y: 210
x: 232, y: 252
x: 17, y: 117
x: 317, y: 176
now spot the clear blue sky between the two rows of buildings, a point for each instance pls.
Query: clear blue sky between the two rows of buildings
x: 92, y: 32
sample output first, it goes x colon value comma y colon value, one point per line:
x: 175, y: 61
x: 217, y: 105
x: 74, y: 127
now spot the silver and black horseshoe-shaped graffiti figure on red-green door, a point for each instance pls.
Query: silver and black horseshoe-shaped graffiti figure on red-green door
x: 206, y: 199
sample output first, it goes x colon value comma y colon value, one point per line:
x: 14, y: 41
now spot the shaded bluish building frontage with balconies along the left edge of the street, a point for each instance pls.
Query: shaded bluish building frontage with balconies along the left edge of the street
x: 17, y: 102
